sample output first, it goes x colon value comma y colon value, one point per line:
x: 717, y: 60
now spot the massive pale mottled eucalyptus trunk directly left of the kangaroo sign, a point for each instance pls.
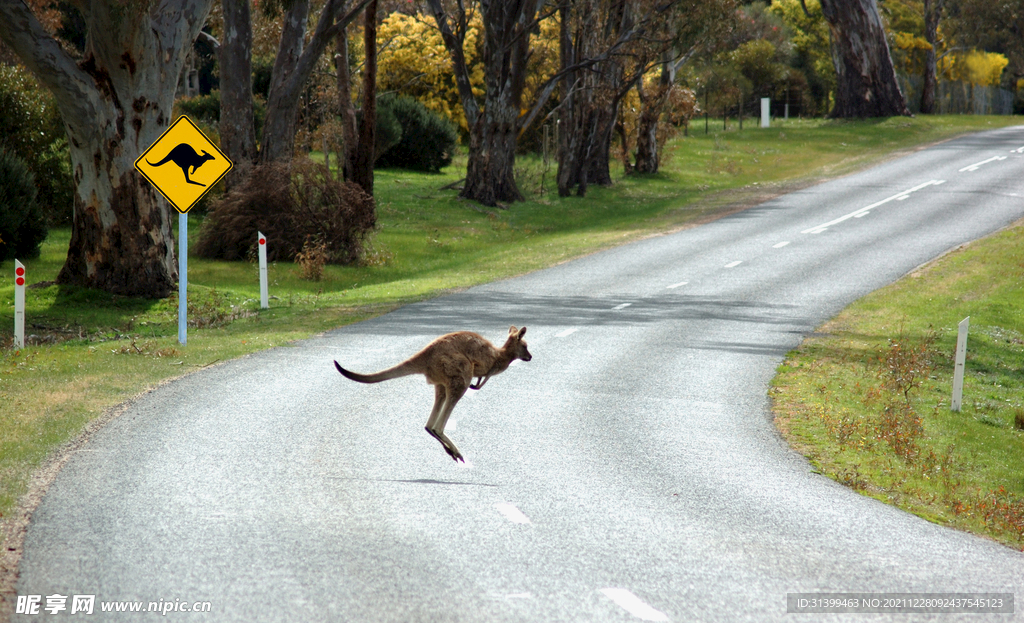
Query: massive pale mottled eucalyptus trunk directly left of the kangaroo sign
x: 115, y: 104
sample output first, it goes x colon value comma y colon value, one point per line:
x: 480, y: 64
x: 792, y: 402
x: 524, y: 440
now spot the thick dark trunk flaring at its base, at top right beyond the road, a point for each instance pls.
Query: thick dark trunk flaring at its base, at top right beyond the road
x: 866, y: 80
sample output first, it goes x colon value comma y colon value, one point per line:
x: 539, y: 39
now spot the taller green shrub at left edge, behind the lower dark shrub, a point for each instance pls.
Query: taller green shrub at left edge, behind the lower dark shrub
x: 32, y: 130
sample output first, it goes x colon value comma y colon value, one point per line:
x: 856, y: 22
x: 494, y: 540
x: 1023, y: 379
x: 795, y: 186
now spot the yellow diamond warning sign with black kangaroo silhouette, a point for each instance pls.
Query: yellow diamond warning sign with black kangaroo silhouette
x: 184, y: 164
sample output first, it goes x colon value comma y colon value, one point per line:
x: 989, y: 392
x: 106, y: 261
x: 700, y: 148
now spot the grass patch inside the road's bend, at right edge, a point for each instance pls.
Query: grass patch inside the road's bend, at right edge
x: 967, y: 470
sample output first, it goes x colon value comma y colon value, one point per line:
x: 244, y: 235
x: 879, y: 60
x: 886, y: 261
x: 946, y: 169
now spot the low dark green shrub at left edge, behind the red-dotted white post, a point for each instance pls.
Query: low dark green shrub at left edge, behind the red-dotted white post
x: 23, y: 228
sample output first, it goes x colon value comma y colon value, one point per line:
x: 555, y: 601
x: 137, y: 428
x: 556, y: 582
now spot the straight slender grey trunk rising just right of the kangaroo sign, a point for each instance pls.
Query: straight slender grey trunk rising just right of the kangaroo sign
x: 238, y: 134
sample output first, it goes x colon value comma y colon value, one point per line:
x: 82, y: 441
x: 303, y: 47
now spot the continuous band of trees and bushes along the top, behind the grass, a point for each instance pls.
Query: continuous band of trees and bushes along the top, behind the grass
x: 282, y: 77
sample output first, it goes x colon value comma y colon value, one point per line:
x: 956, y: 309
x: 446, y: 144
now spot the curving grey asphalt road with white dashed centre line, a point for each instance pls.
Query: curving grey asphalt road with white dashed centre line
x: 631, y: 471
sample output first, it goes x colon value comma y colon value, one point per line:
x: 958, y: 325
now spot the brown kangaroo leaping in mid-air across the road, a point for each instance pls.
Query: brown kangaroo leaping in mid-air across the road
x: 450, y: 364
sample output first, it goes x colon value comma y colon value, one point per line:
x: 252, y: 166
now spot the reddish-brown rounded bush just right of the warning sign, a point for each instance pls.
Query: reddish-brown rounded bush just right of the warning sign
x: 290, y: 203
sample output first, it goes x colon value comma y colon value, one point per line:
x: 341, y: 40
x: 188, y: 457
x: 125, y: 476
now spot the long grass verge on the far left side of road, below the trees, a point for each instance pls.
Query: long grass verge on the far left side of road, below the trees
x: 94, y: 351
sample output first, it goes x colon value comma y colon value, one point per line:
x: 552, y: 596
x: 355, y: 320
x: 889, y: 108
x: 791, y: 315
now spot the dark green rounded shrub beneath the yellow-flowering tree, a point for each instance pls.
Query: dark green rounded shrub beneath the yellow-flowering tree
x: 429, y: 140
